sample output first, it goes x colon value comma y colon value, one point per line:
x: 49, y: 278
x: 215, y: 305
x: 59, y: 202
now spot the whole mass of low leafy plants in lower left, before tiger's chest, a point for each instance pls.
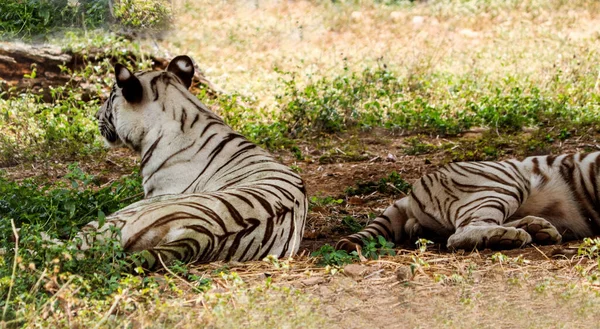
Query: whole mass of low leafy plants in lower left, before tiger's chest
x: 59, y: 212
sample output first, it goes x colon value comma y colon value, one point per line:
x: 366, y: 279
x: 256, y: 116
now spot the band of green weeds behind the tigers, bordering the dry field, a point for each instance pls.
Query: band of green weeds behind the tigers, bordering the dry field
x: 376, y: 98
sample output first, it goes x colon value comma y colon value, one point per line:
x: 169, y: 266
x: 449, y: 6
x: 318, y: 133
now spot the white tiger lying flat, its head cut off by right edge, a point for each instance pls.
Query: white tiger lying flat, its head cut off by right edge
x: 498, y: 205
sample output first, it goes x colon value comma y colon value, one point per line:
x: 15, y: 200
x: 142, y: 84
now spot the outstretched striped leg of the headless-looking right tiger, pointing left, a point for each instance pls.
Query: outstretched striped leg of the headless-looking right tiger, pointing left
x: 396, y: 224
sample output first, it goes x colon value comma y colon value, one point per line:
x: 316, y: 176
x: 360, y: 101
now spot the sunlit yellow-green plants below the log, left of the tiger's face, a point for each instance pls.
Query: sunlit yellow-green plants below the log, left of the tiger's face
x: 37, y: 130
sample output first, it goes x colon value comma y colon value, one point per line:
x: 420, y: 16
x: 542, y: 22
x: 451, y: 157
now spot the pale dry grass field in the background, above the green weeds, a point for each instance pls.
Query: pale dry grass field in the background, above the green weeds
x: 239, y: 43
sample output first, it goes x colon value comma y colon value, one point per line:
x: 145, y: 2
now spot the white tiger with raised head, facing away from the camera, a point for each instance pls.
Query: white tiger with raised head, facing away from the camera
x: 211, y: 193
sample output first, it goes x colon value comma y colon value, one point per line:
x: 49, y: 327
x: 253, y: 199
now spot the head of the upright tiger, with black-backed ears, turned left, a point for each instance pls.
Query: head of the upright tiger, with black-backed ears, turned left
x: 135, y: 102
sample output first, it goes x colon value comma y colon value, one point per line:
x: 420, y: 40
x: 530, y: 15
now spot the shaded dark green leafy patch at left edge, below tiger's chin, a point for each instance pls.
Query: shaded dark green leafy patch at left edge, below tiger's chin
x: 59, y: 210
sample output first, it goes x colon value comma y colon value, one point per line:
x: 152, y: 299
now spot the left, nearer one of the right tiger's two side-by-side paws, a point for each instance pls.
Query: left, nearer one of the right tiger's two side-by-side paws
x: 493, y: 237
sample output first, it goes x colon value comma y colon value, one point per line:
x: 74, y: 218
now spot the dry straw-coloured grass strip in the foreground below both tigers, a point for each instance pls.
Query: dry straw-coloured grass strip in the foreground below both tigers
x: 523, y: 289
